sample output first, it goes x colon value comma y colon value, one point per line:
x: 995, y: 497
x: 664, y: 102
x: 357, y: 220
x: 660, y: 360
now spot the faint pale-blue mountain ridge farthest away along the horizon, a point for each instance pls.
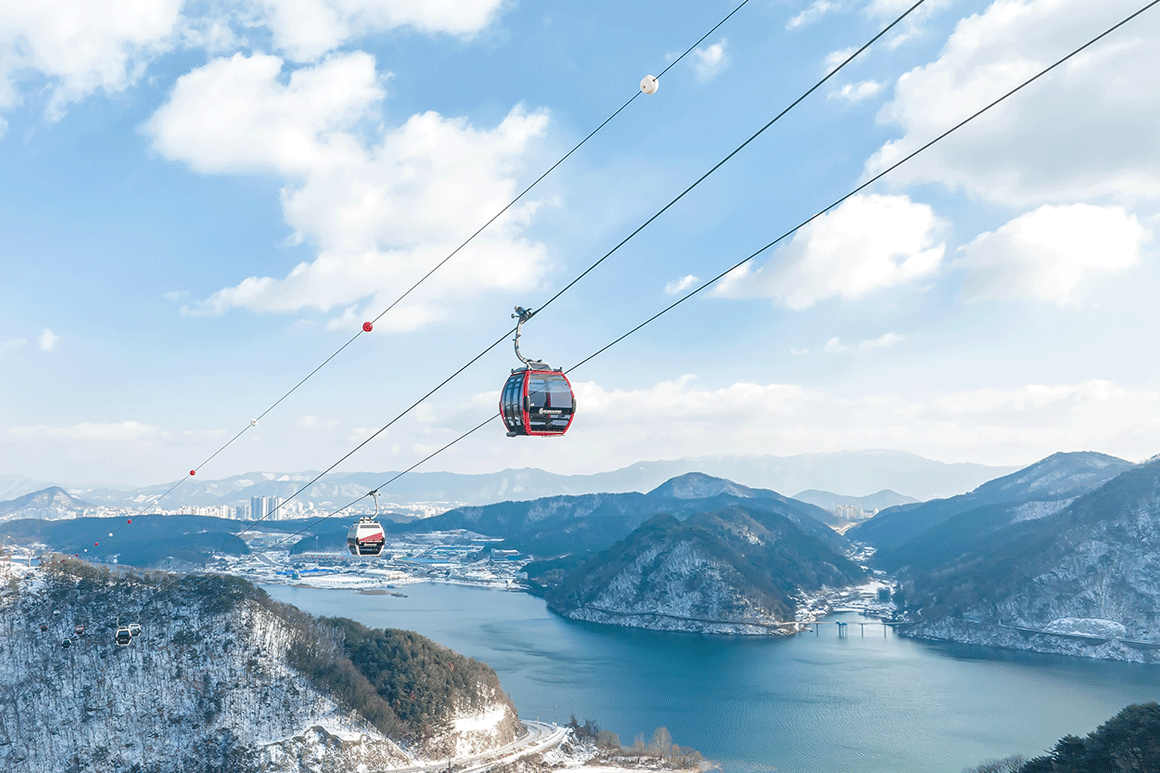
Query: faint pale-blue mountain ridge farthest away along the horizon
x: 852, y: 473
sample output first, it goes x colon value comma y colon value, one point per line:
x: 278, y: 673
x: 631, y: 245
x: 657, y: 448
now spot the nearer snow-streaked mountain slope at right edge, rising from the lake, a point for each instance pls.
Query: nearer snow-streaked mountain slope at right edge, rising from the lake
x: 1083, y: 581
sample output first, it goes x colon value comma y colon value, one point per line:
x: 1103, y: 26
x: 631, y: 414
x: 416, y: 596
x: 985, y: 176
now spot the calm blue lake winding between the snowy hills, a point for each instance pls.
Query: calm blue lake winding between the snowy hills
x: 803, y: 704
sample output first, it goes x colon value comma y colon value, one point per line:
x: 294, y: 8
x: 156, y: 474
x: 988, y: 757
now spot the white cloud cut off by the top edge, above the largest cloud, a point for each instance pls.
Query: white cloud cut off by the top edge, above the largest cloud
x: 307, y: 30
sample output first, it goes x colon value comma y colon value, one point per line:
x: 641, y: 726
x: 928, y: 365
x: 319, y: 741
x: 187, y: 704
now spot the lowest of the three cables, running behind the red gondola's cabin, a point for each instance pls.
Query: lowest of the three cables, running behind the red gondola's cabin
x: 751, y: 257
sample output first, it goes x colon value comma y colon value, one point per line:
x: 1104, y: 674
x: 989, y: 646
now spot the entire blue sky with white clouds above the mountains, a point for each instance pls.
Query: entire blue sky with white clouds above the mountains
x: 202, y: 201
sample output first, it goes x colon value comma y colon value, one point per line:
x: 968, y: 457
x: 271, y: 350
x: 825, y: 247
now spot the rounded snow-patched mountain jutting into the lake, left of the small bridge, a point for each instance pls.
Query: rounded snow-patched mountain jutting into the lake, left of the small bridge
x: 730, y: 572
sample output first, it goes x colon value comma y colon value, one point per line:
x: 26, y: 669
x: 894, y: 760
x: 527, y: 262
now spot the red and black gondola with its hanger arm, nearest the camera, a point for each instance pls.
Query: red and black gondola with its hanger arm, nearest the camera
x: 538, y: 400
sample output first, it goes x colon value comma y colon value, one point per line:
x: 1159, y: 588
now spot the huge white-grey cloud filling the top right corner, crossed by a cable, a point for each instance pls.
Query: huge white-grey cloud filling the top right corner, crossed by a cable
x: 1086, y: 132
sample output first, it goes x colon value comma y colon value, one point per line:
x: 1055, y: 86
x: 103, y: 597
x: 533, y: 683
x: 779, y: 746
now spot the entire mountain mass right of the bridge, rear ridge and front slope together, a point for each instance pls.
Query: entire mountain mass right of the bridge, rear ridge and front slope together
x: 1063, y: 557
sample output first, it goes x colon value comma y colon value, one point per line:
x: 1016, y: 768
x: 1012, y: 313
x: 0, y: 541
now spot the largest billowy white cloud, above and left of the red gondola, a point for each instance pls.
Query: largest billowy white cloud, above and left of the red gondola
x: 382, y: 204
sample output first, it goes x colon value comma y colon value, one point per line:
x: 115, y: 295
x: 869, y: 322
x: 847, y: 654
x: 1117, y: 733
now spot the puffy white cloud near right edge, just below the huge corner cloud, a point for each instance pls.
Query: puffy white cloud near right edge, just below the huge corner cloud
x: 1053, y: 254
